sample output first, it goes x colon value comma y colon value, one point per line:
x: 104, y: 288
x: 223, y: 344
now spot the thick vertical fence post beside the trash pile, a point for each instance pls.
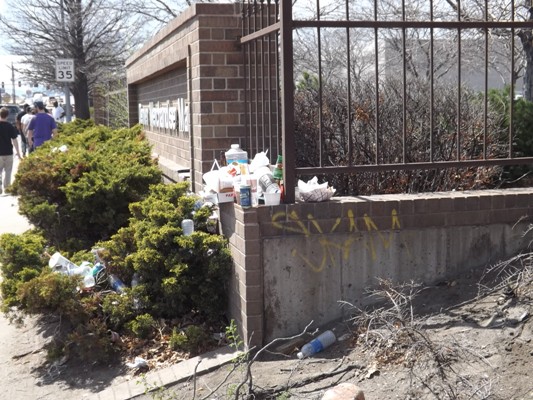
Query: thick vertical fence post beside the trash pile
x: 287, y: 87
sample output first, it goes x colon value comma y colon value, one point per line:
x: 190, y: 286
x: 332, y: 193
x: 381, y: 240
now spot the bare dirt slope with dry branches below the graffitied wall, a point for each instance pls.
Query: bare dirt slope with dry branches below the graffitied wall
x: 466, y: 341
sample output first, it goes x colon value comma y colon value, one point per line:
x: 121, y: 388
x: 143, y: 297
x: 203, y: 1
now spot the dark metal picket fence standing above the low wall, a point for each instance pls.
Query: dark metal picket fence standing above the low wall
x: 474, y: 38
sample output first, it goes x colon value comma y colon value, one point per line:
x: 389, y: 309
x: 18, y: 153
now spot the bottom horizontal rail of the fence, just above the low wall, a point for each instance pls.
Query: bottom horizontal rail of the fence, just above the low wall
x: 413, y: 166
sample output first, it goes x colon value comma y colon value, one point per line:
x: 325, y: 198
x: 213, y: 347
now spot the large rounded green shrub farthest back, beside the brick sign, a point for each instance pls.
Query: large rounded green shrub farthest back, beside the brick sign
x: 81, y: 195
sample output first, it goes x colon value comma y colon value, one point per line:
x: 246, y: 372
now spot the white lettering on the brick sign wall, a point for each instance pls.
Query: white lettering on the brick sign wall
x: 175, y: 116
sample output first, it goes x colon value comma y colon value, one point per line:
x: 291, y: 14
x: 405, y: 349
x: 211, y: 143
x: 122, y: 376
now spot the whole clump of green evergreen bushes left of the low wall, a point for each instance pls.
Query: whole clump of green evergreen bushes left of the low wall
x: 104, y: 191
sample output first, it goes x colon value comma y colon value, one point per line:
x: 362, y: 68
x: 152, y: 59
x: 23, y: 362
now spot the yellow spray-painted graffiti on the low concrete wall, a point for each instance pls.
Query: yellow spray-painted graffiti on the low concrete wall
x: 328, y: 248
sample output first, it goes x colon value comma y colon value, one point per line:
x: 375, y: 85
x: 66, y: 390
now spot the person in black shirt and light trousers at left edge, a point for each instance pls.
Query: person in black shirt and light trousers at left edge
x: 8, y: 140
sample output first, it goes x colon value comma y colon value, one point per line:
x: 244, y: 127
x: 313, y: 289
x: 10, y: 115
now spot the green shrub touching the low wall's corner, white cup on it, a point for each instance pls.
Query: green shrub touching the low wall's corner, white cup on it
x: 179, y: 273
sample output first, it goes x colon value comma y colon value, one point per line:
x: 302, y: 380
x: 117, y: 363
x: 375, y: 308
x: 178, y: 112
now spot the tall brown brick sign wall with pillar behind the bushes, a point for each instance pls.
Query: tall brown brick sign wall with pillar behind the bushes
x: 196, y: 55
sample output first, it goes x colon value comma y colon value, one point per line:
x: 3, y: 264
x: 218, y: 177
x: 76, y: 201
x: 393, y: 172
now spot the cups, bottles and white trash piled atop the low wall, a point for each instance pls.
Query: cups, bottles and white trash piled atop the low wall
x: 234, y: 178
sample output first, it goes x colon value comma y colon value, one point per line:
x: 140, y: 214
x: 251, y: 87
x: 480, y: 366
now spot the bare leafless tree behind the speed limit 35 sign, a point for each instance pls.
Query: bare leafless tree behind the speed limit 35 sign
x: 98, y: 35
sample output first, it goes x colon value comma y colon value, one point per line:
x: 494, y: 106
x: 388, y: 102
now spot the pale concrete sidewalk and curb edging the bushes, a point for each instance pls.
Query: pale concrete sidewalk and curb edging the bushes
x: 18, y: 380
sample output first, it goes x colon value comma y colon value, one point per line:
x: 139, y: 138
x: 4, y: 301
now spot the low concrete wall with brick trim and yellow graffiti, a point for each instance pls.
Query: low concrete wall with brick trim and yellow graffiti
x: 294, y: 263
